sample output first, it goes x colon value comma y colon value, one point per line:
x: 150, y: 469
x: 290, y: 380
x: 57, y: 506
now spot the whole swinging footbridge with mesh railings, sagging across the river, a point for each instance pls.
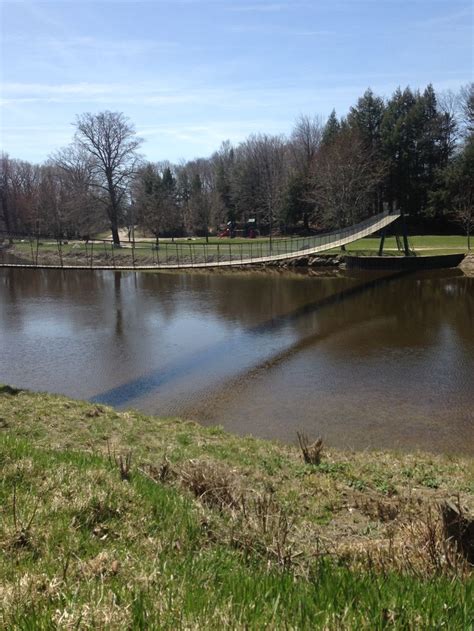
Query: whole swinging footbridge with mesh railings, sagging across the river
x: 33, y: 252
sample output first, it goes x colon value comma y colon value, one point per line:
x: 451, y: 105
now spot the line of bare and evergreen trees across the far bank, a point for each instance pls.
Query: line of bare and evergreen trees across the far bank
x: 413, y: 151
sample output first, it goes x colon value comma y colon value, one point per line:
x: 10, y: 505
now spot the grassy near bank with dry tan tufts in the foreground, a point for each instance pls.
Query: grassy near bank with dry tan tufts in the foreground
x: 118, y: 520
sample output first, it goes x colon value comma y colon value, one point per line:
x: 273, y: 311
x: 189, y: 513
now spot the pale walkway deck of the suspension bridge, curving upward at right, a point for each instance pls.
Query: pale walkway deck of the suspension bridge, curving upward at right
x: 311, y: 245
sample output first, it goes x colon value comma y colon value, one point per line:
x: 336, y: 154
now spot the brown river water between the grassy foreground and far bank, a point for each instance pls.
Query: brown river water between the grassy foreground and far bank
x: 366, y: 361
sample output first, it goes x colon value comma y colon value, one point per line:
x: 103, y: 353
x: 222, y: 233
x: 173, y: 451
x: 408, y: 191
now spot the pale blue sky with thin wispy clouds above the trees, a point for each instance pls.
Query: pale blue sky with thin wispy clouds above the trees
x: 192, y: 73
